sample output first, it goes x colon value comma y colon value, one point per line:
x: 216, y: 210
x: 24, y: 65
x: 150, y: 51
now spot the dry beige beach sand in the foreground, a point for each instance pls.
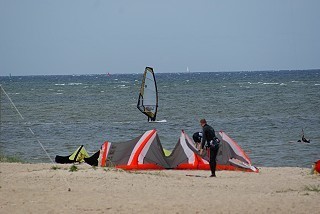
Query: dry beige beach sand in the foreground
x: 39, y: 188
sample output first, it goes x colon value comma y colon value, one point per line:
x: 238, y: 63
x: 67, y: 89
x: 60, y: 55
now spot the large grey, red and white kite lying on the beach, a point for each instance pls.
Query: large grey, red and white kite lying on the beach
x: 146, y: 152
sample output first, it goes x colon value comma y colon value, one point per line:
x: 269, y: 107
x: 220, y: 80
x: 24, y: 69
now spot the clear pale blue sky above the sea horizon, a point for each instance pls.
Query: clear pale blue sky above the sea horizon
x: 95, y: 37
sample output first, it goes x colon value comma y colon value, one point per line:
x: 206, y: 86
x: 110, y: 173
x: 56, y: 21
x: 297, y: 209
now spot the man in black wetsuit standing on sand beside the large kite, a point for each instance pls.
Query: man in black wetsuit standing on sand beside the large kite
x: 208, y: 141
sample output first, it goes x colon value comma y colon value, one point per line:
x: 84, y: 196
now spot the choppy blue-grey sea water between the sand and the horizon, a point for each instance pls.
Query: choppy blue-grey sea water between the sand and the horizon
x: 261, y: 110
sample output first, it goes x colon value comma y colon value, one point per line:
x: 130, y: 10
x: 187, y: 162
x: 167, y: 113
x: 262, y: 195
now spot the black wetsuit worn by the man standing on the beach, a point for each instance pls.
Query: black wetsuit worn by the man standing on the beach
x: 208, y: 134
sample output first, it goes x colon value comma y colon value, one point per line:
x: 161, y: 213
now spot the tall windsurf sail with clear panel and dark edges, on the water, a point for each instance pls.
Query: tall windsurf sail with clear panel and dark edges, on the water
x: 148, y: 96
